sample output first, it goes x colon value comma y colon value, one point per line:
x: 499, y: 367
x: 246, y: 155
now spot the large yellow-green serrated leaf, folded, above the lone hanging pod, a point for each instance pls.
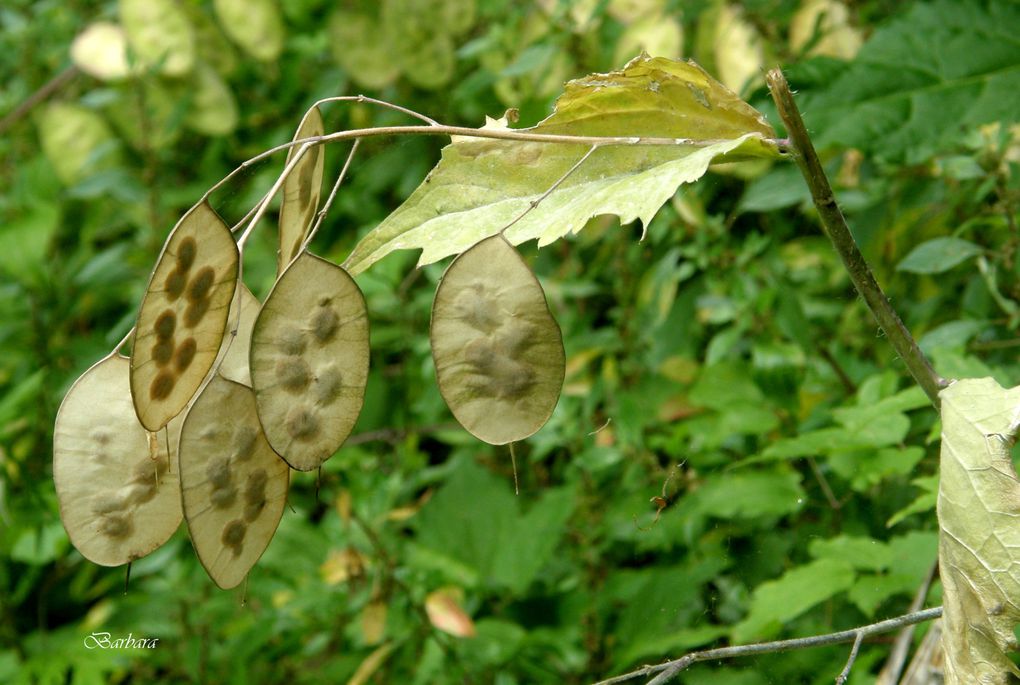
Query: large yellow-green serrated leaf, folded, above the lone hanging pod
x: 481, y: 186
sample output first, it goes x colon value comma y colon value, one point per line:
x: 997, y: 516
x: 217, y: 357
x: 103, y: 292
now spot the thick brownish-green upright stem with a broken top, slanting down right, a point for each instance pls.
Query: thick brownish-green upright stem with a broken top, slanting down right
x: 839, y: 234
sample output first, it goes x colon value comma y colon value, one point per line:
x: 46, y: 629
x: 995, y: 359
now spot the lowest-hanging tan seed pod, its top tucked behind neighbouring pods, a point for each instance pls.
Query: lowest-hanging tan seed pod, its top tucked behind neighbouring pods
x: 233, y: 485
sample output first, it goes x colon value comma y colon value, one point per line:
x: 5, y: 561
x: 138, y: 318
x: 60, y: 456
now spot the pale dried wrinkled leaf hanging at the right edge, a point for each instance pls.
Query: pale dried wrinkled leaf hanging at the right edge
x: 980, y: 539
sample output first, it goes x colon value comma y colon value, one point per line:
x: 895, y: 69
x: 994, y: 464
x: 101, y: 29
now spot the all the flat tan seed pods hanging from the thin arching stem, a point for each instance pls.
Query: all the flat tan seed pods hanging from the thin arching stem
x: 223, y: 396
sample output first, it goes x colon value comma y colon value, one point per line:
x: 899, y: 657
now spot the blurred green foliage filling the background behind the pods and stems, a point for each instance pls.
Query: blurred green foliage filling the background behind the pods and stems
x: 724, y: 364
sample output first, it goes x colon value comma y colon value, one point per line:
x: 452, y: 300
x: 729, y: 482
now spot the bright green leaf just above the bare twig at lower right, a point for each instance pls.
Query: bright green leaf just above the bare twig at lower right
x: 778, y: 602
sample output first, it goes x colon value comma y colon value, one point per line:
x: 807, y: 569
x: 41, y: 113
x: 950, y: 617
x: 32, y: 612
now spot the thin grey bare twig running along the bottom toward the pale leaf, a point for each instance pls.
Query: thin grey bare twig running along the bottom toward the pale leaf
x: 669, y: 670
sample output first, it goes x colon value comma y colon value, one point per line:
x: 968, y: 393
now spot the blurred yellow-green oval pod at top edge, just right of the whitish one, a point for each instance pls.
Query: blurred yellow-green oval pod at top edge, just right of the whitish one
x: 160, y: 35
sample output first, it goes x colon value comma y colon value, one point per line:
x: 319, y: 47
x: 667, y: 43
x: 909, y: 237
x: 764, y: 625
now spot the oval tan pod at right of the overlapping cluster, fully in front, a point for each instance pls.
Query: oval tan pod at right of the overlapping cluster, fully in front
x: 310, y: 361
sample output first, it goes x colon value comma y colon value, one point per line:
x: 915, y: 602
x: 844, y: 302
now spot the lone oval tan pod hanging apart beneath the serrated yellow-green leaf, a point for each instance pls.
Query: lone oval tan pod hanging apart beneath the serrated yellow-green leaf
x: 498, y: 350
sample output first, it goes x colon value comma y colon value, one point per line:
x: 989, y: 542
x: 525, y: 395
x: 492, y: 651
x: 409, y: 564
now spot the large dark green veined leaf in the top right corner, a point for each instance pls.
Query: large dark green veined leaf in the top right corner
x: 923, y: 80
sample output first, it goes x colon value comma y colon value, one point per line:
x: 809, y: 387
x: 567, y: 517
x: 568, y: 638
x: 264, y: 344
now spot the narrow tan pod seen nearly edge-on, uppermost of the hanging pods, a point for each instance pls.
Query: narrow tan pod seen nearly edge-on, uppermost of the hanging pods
x: 301, y: 191
